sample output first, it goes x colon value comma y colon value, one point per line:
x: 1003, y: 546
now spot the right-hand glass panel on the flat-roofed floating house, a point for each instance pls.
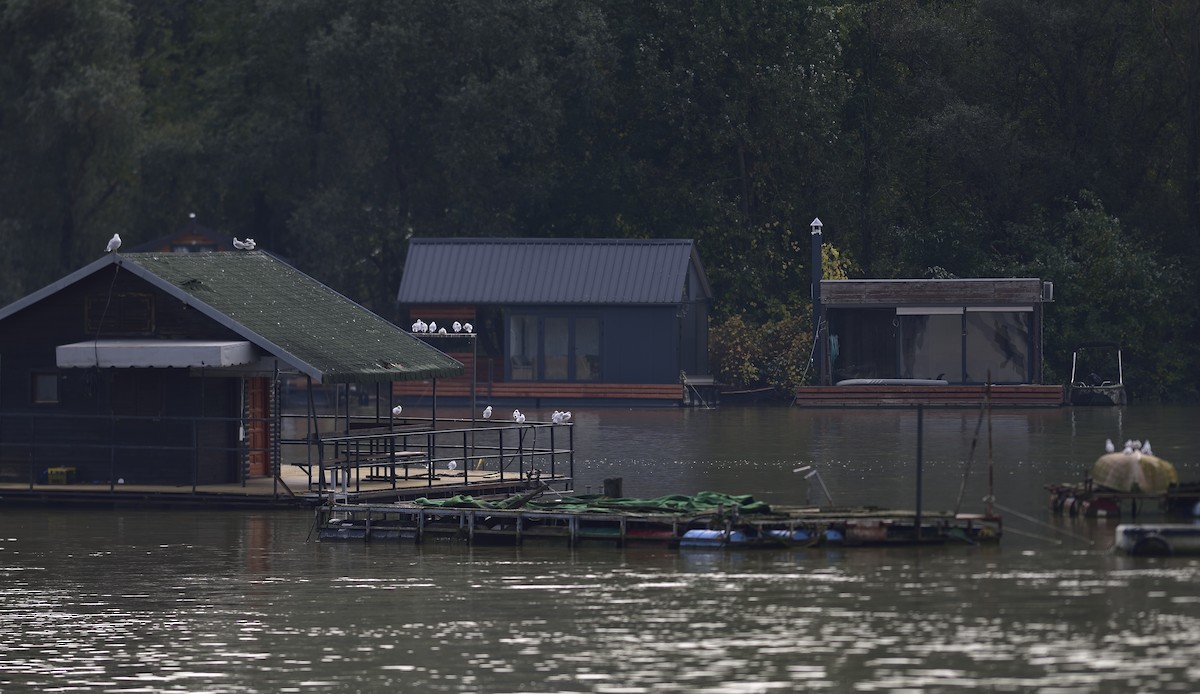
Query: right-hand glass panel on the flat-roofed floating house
x: 998, y: 344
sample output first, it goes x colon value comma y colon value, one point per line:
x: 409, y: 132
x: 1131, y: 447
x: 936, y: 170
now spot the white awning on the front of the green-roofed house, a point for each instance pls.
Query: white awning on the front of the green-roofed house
x: 157, y: 354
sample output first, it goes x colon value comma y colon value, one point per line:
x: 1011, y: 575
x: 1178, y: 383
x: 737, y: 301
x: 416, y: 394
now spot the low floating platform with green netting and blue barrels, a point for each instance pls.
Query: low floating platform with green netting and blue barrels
x: 579, y: 520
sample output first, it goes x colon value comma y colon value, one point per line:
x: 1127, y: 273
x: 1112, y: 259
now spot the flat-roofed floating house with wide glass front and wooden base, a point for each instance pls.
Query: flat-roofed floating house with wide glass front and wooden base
x: 933, y: 342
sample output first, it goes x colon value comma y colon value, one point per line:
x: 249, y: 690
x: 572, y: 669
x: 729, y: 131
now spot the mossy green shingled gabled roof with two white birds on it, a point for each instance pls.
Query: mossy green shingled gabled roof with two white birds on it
x: 283, y: 312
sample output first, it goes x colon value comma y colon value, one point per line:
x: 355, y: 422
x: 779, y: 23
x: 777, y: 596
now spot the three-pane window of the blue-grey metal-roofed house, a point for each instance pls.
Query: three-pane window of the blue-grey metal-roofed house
x: 554, y: 349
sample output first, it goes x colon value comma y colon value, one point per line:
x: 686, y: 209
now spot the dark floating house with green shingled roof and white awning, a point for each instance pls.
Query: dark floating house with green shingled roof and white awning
x: 166, y: 369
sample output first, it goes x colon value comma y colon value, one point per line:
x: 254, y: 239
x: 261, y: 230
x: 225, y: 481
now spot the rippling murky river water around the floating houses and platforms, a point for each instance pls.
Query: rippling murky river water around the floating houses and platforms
x: 141, y: 601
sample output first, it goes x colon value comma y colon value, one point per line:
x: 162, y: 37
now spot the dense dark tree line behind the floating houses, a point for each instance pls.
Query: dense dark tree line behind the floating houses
x: 1058, y: 140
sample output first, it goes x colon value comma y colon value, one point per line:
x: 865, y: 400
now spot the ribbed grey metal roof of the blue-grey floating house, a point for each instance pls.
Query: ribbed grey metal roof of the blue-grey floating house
x: 551, y: 272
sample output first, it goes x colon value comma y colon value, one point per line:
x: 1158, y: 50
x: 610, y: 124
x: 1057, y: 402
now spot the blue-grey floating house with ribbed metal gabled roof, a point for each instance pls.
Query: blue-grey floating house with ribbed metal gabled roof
x: 619, y: 321
